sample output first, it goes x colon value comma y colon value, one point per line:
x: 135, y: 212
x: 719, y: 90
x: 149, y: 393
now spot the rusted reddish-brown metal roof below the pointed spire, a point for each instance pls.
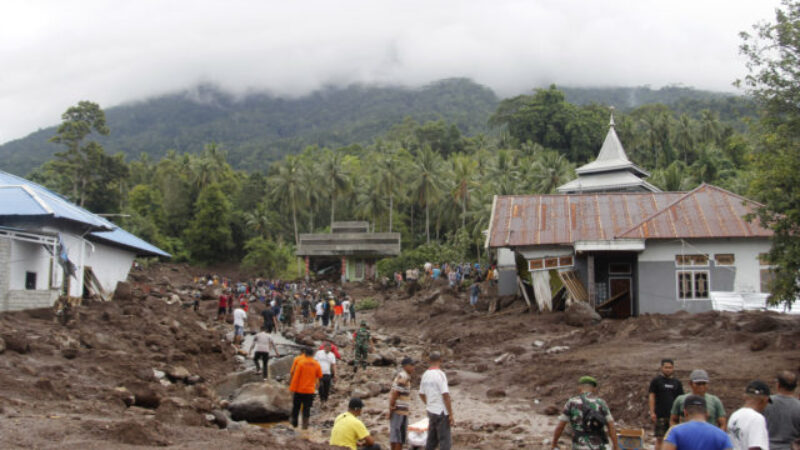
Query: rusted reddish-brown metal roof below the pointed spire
x: 706, y: 212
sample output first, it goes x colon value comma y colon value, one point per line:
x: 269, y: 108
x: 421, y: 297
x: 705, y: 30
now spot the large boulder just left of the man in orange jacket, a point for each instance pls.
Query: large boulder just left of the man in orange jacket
x: 269, y: 401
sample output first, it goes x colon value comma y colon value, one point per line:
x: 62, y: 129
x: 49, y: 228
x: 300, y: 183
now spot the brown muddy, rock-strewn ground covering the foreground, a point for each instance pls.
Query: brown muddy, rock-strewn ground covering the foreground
x: 91, y: 383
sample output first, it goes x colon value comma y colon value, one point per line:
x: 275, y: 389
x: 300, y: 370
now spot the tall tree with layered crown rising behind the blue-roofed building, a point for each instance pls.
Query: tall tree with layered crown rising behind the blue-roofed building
x: 81, y: 159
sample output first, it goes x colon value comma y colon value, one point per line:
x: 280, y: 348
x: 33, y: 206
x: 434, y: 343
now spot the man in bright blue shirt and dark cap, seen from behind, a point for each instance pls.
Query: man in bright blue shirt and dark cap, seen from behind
x: 695, y: 433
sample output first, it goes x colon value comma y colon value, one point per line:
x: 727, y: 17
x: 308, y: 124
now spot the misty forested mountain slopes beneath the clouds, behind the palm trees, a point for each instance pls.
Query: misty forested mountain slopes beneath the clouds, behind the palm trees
x: 259, y: 128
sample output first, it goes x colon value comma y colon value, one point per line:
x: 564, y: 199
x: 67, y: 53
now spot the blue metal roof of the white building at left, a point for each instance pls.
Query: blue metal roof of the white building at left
x: 20, y: 197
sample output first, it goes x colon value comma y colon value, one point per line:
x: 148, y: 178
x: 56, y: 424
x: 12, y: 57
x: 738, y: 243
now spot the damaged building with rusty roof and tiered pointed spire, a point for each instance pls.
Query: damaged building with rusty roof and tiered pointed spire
x: 620, y: 244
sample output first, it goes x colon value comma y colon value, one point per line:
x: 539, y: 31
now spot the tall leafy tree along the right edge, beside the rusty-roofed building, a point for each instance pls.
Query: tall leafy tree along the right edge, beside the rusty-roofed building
x: 773, y: 53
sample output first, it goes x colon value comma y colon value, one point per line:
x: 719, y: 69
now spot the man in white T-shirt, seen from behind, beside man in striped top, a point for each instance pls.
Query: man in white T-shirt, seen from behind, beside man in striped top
x: 435, y: 394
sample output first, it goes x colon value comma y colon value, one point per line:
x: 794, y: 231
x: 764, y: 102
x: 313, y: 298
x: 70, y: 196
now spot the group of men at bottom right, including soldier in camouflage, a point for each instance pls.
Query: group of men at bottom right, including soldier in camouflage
x: 695, y: 420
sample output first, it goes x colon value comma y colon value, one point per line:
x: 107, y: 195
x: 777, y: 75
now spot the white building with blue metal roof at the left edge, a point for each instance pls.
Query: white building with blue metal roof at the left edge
x: 43, y: 236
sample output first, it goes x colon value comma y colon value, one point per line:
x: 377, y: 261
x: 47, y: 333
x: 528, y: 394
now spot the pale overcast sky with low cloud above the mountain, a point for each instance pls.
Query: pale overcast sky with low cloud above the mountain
x: 56, y: 53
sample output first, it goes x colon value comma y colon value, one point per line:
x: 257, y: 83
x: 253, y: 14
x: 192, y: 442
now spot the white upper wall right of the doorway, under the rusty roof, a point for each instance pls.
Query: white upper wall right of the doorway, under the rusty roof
x: 745, y: 251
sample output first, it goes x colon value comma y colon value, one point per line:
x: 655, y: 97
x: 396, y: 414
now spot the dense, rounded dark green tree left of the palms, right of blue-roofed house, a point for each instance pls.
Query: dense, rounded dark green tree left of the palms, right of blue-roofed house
x: 209, y: 234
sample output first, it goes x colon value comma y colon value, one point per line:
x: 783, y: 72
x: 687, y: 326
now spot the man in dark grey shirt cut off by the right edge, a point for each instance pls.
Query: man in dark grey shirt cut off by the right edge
x: 783, y: 414
